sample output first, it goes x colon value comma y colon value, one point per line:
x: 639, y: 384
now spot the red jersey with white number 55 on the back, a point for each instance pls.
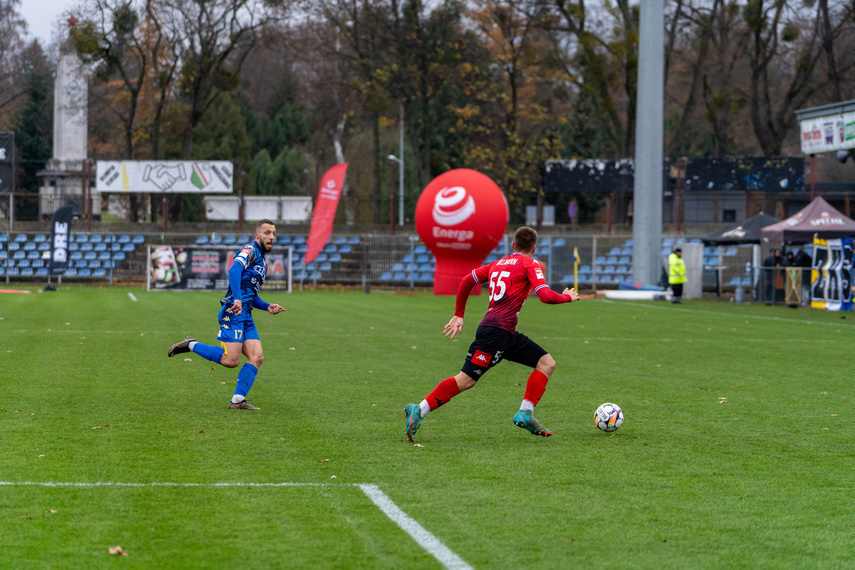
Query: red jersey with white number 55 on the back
x: 510, y: 279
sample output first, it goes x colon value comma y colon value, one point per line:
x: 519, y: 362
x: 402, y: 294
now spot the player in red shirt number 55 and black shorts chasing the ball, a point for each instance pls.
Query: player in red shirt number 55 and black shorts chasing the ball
x: 510, y: 279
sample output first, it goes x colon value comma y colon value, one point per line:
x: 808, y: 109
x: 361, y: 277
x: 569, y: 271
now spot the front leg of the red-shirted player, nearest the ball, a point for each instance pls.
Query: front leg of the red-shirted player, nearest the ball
x: 527, y: 352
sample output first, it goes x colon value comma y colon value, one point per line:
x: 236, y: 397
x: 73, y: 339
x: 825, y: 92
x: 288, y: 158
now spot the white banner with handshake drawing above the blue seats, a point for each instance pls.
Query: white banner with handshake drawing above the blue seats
x: 165, y: 176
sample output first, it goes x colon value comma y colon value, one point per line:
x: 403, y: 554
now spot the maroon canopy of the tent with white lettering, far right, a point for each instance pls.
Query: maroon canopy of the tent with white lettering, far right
x: 819, y: 217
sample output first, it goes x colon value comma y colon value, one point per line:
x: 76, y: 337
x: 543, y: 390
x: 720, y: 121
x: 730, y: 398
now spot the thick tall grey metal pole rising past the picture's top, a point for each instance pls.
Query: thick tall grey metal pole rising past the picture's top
x: 647, y: 202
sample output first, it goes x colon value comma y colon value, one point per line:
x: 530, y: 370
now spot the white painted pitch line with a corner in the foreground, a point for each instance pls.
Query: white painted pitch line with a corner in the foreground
x: 430, y: 543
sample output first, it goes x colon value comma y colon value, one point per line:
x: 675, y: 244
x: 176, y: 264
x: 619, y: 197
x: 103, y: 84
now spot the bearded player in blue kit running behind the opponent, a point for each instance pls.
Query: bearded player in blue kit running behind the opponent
x: 237, y: 329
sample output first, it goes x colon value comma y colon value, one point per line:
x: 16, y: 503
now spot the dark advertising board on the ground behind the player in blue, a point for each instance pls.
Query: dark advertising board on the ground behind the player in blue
x: 207, y: 268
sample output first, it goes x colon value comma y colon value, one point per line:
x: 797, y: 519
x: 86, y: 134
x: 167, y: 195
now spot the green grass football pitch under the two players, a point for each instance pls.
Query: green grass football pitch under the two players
x: 736, y: 450
